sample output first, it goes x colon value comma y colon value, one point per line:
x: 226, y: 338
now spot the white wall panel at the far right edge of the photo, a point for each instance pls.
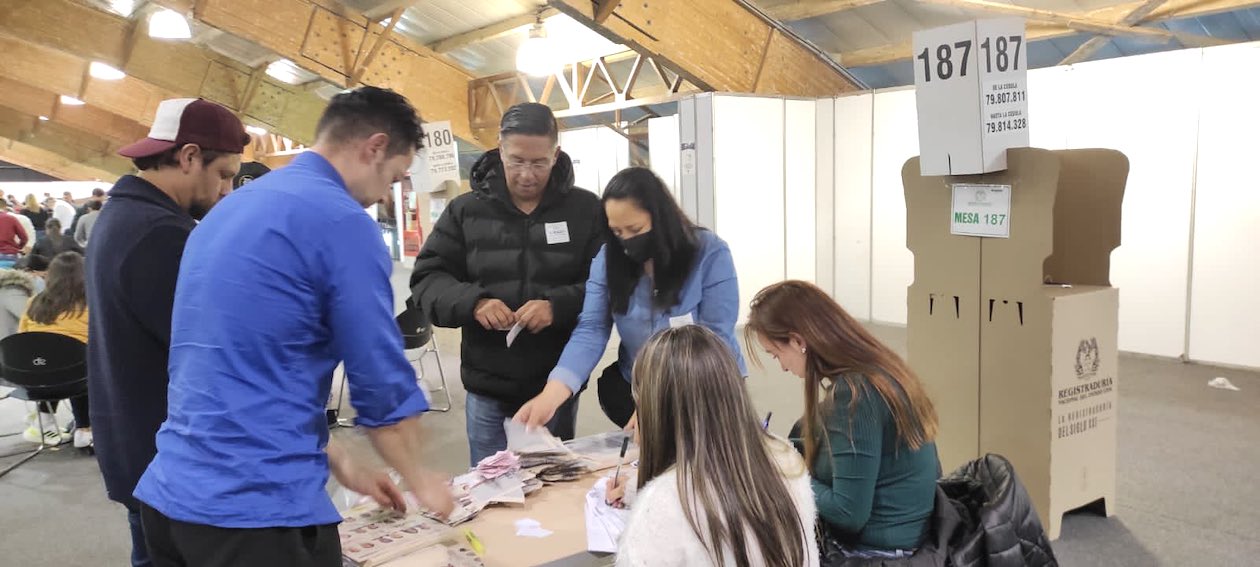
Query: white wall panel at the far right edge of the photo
x: 1225, y: 293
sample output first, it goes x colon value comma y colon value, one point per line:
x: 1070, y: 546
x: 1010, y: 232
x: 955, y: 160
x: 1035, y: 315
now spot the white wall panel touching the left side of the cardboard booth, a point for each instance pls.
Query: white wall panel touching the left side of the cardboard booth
x: 895, y: 140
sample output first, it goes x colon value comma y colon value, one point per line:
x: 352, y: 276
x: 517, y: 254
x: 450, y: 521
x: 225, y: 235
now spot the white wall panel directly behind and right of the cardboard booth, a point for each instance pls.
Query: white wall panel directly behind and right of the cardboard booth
x: 1159, y: 134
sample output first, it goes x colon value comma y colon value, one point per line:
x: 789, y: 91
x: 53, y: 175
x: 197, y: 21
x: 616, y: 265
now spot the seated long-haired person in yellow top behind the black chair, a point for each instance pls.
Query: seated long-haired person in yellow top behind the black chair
x: 62, y: 309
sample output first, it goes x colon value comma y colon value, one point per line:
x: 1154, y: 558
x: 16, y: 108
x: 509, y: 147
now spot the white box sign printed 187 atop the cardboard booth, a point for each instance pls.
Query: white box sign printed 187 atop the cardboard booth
x: 972, y: 94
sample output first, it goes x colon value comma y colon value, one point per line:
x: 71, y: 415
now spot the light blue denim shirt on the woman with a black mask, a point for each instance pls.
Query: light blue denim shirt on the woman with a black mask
x: 710, y: 297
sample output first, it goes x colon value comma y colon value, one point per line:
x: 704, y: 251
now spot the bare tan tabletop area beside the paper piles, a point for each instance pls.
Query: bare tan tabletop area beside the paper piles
x: 560, y: 508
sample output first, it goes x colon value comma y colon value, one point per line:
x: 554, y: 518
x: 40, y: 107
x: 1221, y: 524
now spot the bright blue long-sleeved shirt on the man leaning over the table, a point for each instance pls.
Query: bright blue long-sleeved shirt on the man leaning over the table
x: 285, y: 279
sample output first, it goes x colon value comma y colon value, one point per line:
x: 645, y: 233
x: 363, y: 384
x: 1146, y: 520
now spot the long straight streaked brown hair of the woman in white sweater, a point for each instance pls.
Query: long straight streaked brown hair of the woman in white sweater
x: 695, y: 415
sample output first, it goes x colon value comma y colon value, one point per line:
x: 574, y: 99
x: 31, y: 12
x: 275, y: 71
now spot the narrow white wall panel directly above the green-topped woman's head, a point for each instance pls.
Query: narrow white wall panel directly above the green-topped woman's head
x: 801, y: 191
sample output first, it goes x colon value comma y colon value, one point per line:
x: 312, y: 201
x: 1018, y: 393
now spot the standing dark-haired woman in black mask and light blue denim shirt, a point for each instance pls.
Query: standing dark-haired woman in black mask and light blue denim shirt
x: 657, y: 270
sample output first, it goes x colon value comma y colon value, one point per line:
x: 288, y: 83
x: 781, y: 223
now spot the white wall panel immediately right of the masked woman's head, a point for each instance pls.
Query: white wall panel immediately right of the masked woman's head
x: 749, y: 188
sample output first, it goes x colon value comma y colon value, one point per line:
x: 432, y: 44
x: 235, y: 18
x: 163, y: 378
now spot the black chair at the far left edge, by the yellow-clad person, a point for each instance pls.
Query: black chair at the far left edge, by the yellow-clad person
x: 43, y: 367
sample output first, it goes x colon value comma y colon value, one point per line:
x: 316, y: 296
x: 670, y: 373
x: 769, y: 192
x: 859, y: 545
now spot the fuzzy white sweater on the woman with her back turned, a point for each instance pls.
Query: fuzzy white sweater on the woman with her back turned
x: 660, y: 536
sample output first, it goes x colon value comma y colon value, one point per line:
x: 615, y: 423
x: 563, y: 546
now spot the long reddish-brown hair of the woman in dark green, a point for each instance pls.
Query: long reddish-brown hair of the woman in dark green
x: 840, y: 350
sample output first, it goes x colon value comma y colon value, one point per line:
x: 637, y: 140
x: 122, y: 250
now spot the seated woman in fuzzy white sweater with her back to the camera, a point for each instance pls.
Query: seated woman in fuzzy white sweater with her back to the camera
x: 715, y: 488
